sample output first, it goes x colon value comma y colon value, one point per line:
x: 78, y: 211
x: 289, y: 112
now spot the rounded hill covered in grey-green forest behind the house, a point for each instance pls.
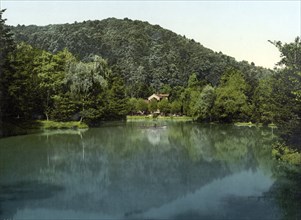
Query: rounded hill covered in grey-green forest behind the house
x: 147, y: 56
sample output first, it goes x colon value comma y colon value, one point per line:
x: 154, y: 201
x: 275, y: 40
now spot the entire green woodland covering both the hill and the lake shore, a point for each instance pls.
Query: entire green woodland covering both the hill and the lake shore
x: 104, y: 70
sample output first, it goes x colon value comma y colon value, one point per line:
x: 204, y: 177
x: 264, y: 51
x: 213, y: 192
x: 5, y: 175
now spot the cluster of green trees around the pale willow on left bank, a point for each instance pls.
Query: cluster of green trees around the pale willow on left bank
x: 61, y: 88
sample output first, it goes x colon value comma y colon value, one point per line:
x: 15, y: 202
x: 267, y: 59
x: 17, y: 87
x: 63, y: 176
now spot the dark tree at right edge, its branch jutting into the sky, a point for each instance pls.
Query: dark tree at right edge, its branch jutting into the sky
x: 287, y: 89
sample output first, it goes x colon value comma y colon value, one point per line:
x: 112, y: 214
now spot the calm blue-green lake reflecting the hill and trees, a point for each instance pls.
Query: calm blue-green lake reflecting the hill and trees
x: 134, y: 170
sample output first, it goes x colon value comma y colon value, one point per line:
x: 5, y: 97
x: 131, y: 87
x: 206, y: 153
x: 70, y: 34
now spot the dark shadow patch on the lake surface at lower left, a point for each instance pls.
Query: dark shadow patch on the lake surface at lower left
x: 15, y: 196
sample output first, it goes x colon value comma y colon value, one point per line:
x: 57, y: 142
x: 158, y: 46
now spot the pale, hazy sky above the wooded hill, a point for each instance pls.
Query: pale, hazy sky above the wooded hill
x: 240, y: 29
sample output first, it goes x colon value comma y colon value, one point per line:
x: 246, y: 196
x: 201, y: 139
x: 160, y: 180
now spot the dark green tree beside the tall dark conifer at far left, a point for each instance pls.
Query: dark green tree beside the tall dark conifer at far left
x: 23, y: 83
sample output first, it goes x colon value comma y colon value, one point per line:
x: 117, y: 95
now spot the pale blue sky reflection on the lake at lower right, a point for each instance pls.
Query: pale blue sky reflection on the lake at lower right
x: 212, y: 200
